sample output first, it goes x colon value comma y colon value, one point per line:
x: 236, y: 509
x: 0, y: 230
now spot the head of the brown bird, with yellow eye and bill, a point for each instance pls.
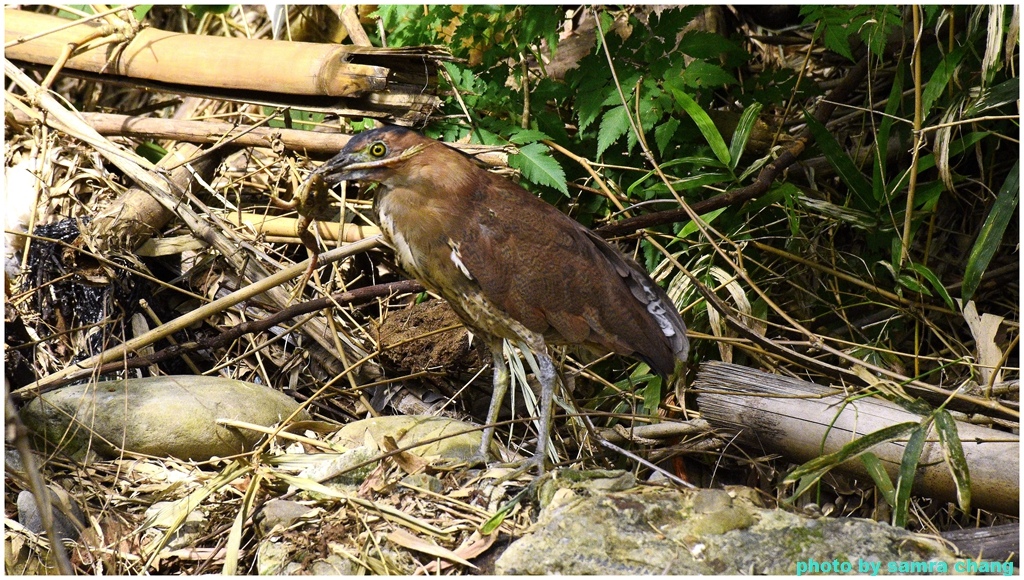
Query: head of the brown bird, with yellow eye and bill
x: 377, y: 155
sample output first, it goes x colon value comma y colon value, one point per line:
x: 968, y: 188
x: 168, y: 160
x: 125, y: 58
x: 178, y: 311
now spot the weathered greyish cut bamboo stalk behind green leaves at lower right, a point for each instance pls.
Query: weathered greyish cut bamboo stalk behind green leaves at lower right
x: 802, y: 421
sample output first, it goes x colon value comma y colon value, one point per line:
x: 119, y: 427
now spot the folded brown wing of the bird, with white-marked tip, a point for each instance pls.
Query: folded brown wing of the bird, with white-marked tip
x: 560, y: 279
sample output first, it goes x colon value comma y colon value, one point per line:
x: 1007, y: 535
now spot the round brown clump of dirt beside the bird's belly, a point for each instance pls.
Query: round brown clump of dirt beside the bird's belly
x: 405, y: 347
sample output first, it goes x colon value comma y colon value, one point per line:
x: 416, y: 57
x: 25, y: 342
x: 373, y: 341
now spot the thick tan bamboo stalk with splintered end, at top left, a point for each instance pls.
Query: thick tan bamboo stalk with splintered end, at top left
x: 397, y: 86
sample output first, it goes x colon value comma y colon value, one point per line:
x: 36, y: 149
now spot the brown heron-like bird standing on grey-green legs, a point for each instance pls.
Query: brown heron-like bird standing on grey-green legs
x: 511, y: 266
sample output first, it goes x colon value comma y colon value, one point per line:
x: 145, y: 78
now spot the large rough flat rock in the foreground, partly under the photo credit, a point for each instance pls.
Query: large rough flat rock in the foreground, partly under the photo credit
x: 665, y: 531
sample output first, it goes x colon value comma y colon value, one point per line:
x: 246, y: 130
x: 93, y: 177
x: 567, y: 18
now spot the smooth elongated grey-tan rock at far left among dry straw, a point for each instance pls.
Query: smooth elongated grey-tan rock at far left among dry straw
x: 160, y: 417
